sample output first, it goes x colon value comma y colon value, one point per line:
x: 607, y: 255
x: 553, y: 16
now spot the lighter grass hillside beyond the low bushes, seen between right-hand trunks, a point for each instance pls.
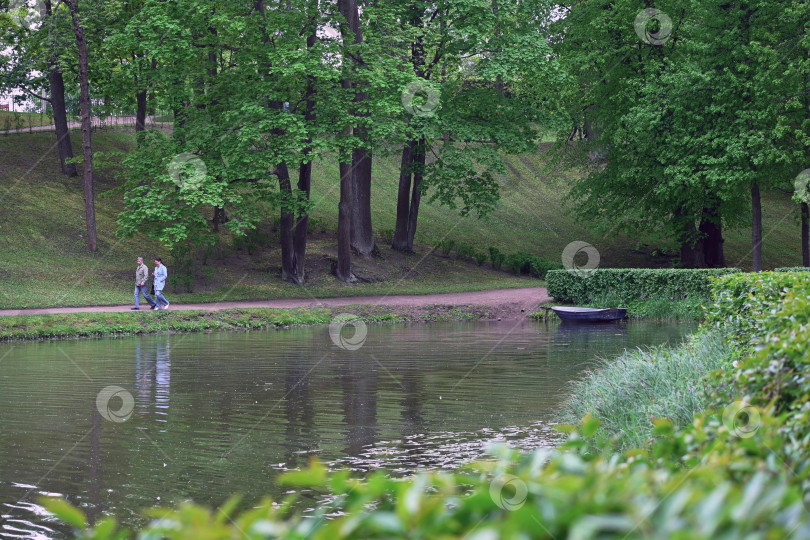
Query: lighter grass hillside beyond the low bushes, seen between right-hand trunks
x: 532, y: 217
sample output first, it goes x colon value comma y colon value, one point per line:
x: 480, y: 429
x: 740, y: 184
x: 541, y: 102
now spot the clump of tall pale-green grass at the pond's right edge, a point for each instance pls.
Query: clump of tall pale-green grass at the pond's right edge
x: 627, y: 394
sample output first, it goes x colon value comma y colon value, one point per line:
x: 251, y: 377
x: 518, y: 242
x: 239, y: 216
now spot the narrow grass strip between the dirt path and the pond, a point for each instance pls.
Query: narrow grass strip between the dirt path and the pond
x: 79, y: 325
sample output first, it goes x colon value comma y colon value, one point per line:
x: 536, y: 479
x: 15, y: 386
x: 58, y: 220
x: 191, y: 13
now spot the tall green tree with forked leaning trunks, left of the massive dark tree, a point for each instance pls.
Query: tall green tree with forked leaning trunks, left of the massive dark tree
x: 472, y: 94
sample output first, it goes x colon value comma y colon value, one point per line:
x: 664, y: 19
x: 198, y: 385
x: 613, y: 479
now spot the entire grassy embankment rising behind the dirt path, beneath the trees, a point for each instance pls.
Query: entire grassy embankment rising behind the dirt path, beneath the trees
x: 44, y: 260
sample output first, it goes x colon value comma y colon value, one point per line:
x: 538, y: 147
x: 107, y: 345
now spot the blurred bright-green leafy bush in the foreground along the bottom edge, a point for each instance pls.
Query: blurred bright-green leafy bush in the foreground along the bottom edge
x: 725, y: 493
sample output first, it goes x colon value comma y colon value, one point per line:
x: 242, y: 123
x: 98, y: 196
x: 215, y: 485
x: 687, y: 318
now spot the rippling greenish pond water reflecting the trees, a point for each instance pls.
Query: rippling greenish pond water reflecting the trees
x: 116, y: 425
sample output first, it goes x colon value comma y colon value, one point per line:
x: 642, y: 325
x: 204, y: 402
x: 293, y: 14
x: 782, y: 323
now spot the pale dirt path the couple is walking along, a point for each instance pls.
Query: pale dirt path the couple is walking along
x: 506, y: 303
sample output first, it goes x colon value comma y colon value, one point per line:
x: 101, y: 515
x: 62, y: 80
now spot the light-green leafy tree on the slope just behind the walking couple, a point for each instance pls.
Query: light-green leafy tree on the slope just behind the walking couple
x: 244, y: 82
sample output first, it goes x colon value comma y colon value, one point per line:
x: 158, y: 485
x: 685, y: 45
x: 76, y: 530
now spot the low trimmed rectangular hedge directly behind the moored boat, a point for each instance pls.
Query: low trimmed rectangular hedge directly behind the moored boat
x: 632, y: 283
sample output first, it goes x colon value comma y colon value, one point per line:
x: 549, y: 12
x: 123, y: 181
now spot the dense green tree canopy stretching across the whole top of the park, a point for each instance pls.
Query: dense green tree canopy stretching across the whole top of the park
x: 681, y: 113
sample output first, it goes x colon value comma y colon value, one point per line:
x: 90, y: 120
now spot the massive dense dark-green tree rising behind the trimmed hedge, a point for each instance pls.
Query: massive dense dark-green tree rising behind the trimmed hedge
x: 686, y: 101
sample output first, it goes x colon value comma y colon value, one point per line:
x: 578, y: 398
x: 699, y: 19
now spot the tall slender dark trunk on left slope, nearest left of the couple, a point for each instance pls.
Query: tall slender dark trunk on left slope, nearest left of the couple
x: 87, y: 145
